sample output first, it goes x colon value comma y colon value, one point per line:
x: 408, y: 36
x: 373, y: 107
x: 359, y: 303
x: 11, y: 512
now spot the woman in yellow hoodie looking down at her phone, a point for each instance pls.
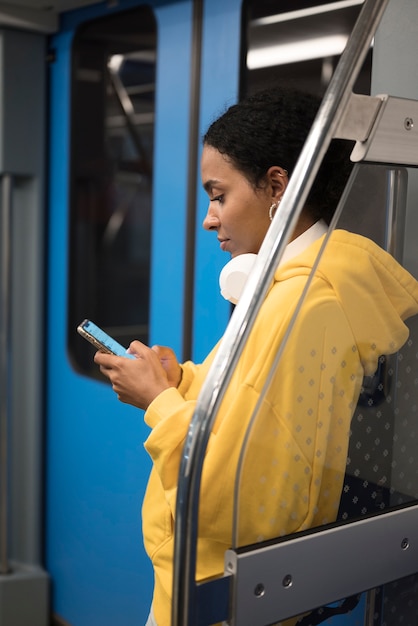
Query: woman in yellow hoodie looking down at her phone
x: 294, y: 463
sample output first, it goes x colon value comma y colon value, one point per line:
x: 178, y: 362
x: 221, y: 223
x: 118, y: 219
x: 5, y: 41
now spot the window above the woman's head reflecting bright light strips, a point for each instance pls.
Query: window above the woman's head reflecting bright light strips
x: 297, y: 47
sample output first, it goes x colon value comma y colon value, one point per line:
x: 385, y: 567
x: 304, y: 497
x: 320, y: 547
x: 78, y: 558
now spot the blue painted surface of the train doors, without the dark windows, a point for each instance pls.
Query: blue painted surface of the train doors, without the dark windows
x: 97, y: 467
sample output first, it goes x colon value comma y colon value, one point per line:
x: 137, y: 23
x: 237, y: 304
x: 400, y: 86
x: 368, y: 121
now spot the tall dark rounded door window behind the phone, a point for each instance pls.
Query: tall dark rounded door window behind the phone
x: 112, y: 128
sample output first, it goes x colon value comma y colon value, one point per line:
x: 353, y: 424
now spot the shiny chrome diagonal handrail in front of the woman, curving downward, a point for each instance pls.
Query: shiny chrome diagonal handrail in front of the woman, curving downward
x: 323, y: 129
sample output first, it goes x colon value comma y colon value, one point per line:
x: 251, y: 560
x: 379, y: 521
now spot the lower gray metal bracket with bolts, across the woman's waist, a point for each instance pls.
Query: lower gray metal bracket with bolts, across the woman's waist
x: 290, y: 577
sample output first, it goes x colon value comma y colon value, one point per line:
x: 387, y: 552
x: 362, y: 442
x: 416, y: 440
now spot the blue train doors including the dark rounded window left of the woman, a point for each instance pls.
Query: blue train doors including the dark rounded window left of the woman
x: 121, y: 234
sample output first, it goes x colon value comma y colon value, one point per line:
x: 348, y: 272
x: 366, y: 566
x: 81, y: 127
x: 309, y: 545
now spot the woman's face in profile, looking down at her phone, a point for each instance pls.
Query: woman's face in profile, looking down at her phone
x: 237, y: 211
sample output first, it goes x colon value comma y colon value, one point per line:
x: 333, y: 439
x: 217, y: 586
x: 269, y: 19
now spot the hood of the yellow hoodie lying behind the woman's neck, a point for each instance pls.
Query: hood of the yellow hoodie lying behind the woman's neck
x: 376, y: 293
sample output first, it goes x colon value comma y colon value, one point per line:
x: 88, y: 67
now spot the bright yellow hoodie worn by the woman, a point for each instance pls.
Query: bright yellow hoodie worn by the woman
x: 294, y: 462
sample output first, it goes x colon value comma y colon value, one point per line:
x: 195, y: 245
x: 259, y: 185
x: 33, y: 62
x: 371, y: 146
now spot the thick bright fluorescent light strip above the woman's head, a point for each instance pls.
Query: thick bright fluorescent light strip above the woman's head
x: 283, y: 54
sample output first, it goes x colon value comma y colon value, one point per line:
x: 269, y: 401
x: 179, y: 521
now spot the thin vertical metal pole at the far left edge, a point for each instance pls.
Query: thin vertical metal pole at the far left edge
x: 5, y: 366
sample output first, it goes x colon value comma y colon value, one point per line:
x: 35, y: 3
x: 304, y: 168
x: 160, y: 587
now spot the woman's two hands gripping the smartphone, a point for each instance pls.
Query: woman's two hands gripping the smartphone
x: 138, y: 381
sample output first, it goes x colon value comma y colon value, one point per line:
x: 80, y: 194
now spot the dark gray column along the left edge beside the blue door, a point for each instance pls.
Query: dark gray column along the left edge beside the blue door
x: 24, y: 585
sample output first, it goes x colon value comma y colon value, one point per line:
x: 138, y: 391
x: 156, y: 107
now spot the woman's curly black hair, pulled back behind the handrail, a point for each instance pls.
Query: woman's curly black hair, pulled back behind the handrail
x: 269, y: 128
